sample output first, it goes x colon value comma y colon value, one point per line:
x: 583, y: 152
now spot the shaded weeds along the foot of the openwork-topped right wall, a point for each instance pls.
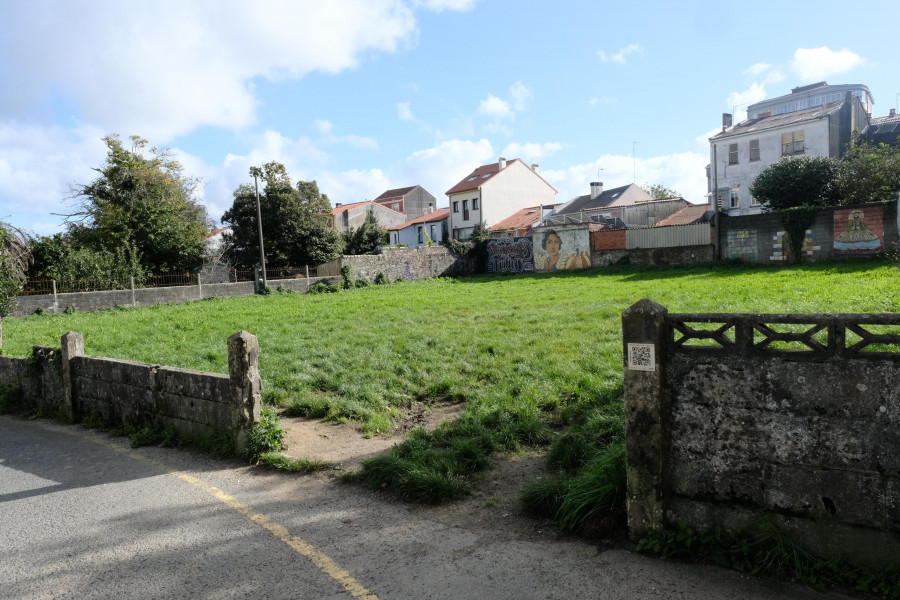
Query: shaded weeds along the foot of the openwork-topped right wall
x: 767, y: 551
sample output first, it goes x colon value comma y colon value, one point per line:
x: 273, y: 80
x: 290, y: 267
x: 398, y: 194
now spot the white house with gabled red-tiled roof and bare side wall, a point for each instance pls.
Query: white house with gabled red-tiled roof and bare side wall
x: 494, y: 191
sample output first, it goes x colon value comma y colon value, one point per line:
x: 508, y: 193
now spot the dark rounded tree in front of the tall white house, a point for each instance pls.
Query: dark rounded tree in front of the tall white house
x: 807, y: 181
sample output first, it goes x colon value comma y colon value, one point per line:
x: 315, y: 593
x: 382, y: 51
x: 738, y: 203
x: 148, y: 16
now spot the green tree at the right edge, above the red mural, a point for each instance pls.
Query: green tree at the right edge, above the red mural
x: 869, y: 173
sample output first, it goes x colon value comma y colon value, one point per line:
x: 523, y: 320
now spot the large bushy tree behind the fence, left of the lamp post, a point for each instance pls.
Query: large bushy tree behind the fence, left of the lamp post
x: 141, y: 200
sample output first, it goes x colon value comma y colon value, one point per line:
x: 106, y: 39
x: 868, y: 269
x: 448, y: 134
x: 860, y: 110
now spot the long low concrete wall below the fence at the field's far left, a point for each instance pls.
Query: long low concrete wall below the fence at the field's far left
x: 88, y: 301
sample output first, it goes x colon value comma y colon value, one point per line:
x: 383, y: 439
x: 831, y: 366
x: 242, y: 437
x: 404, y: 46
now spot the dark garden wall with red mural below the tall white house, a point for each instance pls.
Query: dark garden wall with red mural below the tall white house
x: 862, y: 230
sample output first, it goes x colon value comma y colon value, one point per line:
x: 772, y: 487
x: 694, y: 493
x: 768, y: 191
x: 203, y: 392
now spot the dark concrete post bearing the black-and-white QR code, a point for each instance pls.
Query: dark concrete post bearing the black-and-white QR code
x: 645, y: 338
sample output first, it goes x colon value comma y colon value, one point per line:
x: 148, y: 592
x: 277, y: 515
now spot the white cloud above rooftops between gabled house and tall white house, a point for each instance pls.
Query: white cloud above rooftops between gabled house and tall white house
x: 684, y: 172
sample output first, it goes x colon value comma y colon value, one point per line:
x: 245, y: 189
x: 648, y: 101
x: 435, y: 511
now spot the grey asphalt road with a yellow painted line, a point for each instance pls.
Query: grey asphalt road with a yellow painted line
x: 82, y: 515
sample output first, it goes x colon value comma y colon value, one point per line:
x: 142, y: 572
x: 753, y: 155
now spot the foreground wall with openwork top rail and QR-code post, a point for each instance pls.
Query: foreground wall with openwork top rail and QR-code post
x: 730, y: 417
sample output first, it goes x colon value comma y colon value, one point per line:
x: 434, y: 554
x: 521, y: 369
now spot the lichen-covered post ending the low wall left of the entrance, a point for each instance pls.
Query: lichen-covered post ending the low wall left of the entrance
x: 246, y: 386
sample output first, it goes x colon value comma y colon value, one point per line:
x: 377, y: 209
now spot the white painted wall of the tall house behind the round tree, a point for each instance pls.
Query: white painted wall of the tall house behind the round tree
x: 741, y: 175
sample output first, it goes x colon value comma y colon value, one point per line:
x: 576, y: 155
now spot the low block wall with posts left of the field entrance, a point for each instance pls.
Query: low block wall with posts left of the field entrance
x: 64, y: 382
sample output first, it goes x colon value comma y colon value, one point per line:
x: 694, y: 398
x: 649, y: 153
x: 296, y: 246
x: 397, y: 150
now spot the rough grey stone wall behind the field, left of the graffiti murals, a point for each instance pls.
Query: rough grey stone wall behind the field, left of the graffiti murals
x: 401, y: 263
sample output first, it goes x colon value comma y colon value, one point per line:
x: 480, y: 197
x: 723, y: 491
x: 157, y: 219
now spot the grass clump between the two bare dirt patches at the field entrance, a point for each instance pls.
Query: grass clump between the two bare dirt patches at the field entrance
x: 439, y: 466
